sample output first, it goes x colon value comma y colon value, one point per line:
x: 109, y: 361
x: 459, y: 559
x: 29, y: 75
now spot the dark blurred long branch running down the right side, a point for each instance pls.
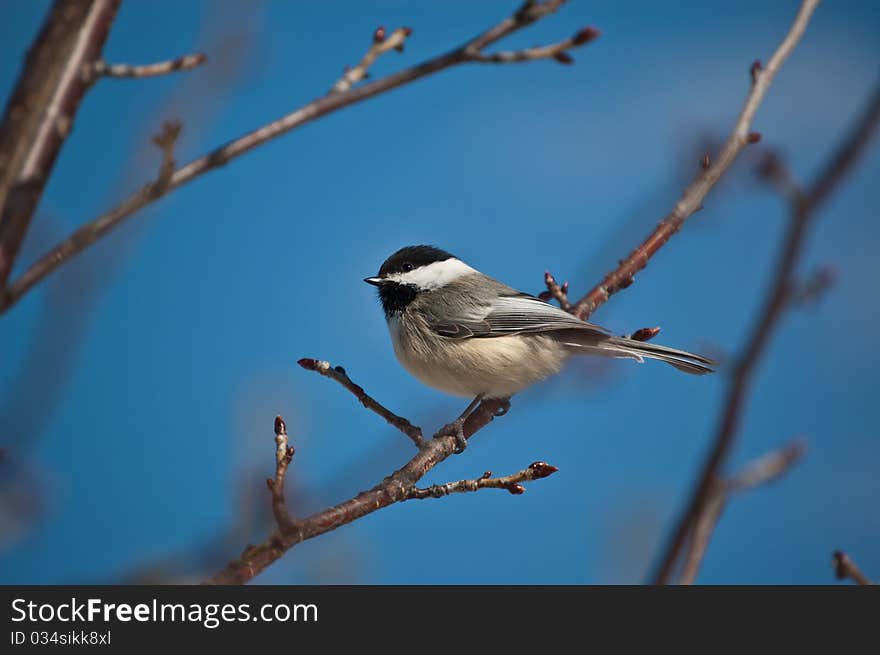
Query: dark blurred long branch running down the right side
x: 778, y: 298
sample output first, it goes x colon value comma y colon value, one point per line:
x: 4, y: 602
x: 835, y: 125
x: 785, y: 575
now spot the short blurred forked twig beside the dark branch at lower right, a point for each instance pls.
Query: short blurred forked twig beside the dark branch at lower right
x: 763, y: 470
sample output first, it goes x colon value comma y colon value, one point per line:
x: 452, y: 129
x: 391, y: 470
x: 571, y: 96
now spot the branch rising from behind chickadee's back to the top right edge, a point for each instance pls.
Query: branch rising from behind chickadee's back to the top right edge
x: 693, y: 196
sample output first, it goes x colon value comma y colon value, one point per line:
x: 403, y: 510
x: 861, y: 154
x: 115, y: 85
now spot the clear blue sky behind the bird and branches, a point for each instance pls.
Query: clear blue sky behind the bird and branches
x: 139, y: 384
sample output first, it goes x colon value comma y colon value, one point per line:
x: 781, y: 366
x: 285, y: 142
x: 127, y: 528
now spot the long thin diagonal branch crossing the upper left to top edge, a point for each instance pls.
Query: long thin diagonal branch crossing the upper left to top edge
x: 469, y: 52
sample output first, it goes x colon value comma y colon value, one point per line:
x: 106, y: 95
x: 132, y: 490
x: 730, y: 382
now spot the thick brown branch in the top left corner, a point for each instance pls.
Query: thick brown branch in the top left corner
x: 41, y: 111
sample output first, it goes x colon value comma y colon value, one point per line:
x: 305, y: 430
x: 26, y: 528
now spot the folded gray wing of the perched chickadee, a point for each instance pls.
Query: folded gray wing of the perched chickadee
x: 514, y: 314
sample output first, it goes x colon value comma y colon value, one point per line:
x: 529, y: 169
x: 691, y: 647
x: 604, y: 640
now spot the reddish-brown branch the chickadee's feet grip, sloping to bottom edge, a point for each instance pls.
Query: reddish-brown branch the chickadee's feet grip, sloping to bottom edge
x: 395, y: 488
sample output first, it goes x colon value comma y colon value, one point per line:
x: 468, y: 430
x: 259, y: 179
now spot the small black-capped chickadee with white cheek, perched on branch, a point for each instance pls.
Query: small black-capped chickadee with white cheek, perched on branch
x: 466, y: 334
